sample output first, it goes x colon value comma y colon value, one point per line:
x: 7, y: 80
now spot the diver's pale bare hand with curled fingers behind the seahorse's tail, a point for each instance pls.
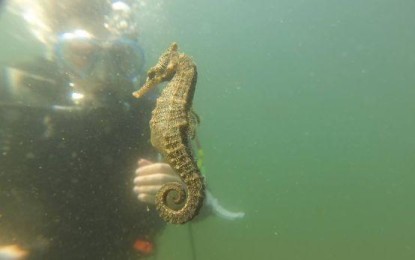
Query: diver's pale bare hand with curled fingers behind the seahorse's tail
x: 150, y: 176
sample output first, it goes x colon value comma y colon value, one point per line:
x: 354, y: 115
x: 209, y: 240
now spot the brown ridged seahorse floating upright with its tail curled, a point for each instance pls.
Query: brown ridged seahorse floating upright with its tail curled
x: 172, y: 126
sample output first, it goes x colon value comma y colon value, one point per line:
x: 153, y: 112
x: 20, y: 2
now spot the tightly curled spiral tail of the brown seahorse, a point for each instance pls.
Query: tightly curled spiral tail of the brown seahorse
x: 194, y: 200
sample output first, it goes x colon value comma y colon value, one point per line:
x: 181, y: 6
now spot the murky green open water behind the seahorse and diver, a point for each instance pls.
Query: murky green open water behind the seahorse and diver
x: 307, y: 111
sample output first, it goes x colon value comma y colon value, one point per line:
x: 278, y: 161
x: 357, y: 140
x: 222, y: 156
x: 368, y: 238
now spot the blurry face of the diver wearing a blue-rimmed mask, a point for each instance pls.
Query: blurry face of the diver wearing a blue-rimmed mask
x: 99, y: 70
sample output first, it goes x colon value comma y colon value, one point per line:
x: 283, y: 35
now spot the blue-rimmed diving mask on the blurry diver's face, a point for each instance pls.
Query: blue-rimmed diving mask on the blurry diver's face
x: 82, y: 55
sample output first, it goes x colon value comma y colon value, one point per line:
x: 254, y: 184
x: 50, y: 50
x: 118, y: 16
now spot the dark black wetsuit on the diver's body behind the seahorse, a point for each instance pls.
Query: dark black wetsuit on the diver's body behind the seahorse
x: 66, y: 175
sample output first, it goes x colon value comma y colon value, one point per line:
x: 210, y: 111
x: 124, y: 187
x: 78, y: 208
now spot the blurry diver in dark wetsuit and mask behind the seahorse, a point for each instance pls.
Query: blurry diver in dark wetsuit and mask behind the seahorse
x: 74, y: 144
